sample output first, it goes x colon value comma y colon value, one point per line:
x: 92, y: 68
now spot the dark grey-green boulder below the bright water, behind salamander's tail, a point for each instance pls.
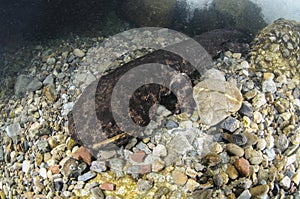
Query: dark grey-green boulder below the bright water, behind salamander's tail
x: 242, y: 15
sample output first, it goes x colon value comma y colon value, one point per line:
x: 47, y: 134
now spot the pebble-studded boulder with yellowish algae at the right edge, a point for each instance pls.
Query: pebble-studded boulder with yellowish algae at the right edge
x: 276, y: 47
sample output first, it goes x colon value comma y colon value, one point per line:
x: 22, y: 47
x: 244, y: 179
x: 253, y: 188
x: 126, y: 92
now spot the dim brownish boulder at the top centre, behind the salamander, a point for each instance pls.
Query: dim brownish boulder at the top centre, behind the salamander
x: 149, y: 12
